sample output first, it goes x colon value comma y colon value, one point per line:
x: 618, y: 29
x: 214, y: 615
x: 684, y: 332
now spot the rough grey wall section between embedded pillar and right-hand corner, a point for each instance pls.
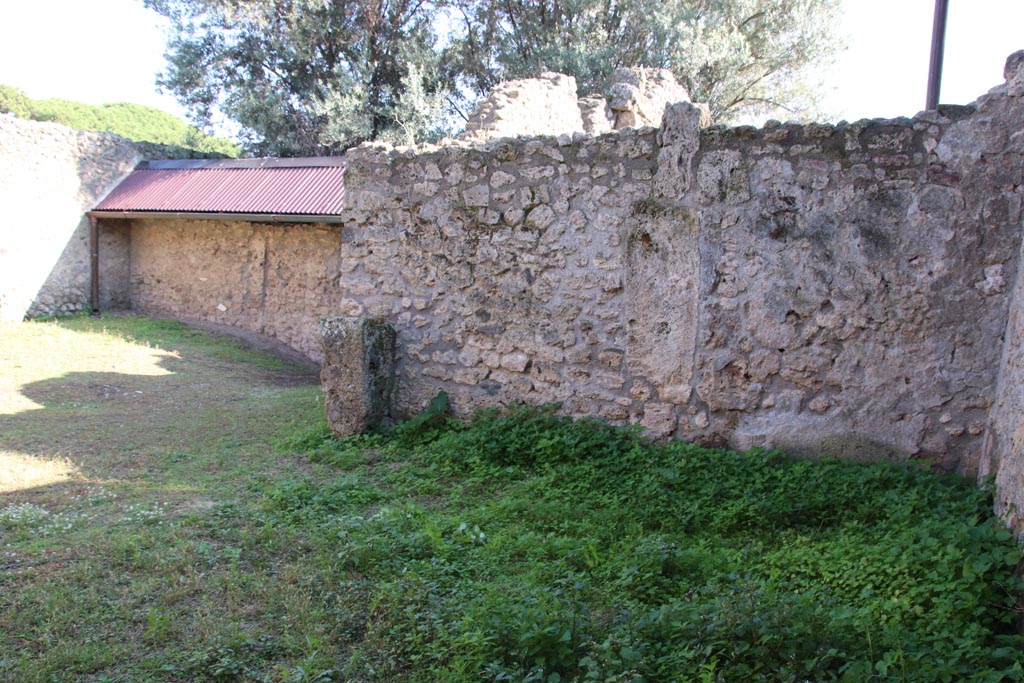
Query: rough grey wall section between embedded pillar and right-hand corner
x: 854, y: 290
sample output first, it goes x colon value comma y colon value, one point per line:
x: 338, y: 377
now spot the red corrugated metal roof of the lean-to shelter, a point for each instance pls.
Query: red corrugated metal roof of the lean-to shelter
x: 279, y: 187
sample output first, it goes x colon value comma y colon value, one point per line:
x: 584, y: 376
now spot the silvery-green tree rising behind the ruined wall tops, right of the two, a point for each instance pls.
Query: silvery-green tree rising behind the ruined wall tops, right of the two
x: 741, y: 57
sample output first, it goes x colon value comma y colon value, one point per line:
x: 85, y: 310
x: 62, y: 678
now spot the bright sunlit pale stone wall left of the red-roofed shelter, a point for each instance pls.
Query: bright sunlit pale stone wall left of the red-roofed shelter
x: 50, y: 177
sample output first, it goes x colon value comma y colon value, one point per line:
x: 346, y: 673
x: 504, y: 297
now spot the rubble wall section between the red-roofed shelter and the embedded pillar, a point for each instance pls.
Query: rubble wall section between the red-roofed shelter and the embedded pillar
x: 501, y: 267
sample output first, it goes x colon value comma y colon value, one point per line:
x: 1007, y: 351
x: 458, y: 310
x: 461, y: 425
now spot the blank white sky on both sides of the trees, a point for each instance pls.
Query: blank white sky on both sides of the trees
x: 110, y: 51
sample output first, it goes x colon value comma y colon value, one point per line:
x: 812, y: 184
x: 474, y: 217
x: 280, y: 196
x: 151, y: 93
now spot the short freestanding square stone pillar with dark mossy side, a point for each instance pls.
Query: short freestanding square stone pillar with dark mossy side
x: 358, y: 374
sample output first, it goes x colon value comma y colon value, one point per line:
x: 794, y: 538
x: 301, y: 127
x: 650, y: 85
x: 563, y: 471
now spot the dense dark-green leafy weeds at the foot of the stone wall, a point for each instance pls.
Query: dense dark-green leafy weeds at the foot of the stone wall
x: 525, y: 546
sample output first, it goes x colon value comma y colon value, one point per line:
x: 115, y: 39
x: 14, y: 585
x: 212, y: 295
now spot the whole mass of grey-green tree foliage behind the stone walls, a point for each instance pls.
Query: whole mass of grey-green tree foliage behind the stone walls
x: 319, y: 76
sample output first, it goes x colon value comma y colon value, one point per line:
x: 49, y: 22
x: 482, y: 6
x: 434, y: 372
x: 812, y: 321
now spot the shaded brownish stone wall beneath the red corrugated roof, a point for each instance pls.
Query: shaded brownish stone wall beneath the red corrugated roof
x: 277, y: 280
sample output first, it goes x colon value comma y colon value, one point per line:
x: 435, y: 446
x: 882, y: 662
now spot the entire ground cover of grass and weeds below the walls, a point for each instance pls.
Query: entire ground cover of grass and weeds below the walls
x: 189, y: 518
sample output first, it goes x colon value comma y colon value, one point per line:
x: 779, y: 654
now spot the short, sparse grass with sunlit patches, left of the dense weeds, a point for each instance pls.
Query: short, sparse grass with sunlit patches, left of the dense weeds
x: 134, y: 456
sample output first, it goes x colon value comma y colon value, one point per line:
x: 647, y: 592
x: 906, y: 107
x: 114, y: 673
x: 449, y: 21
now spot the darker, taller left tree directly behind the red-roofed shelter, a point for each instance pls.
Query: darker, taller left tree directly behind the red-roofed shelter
x: 307, y: 76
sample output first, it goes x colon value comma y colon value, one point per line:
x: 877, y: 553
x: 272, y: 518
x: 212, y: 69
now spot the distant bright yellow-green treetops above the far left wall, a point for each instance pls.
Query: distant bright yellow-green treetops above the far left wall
x: 136, y: 122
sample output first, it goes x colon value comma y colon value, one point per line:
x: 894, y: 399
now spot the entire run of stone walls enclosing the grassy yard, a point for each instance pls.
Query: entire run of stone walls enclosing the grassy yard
x: 849, y: 290
